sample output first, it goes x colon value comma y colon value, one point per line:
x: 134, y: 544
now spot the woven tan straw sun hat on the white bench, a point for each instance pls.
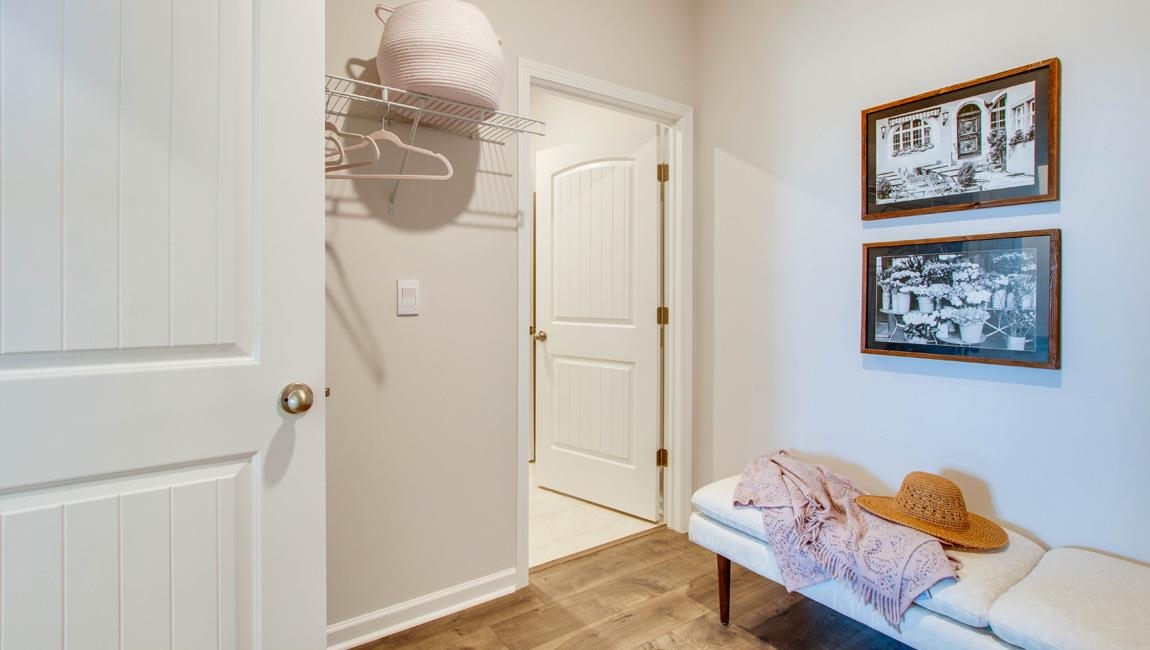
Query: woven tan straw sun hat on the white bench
x: 936, y: 507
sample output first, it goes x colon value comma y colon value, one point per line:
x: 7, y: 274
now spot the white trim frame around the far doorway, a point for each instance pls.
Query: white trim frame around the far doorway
x: 678, y: 412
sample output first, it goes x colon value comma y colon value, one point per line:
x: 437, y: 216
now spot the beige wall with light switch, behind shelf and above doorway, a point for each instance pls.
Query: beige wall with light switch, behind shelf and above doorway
x: 421, y: 427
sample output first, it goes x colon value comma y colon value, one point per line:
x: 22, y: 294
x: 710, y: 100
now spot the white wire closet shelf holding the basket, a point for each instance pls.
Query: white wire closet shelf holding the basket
x: 352, y: 98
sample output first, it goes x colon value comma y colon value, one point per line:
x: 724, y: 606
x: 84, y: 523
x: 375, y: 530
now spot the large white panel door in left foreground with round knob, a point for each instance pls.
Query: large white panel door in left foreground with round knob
x: 162, y: 279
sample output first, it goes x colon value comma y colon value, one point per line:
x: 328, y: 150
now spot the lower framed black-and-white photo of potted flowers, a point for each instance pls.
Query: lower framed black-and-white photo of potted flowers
x: 984, y: 299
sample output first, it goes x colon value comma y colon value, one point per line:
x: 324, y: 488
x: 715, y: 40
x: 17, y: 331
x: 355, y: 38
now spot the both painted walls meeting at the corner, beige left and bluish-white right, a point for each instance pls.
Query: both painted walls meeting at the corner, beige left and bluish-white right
x: 423, y: 422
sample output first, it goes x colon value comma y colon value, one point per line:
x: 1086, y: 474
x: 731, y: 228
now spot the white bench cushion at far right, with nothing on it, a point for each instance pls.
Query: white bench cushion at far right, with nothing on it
x: 1077, y: 600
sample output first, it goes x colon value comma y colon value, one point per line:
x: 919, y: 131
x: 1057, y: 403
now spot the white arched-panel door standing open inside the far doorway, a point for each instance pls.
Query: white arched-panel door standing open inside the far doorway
x: 597, y: 373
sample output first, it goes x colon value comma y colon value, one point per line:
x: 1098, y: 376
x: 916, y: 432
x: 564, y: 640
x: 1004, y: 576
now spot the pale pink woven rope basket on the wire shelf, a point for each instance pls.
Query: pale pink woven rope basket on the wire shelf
x: 442, y: 48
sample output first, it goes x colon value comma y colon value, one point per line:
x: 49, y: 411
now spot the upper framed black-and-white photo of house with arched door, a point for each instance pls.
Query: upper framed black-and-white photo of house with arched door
x: 986, y: 143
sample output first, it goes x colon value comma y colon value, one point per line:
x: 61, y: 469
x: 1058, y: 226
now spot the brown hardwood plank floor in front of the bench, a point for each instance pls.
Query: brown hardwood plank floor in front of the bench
x: 655, y: 593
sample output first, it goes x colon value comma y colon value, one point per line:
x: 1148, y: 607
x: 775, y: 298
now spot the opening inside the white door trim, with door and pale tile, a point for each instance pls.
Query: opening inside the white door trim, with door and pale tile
x: 597, y: 353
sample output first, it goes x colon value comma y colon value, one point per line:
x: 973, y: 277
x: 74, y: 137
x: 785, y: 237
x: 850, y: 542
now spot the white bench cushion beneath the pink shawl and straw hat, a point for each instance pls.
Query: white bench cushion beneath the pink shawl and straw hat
x: 984, y: 578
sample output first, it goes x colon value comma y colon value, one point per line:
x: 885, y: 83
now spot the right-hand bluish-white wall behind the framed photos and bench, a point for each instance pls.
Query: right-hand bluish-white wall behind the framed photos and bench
x: 1061, y: 455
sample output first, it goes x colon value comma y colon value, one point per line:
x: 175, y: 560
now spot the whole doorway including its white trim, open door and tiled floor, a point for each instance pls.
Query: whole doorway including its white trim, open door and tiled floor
x: 604, y: 259
